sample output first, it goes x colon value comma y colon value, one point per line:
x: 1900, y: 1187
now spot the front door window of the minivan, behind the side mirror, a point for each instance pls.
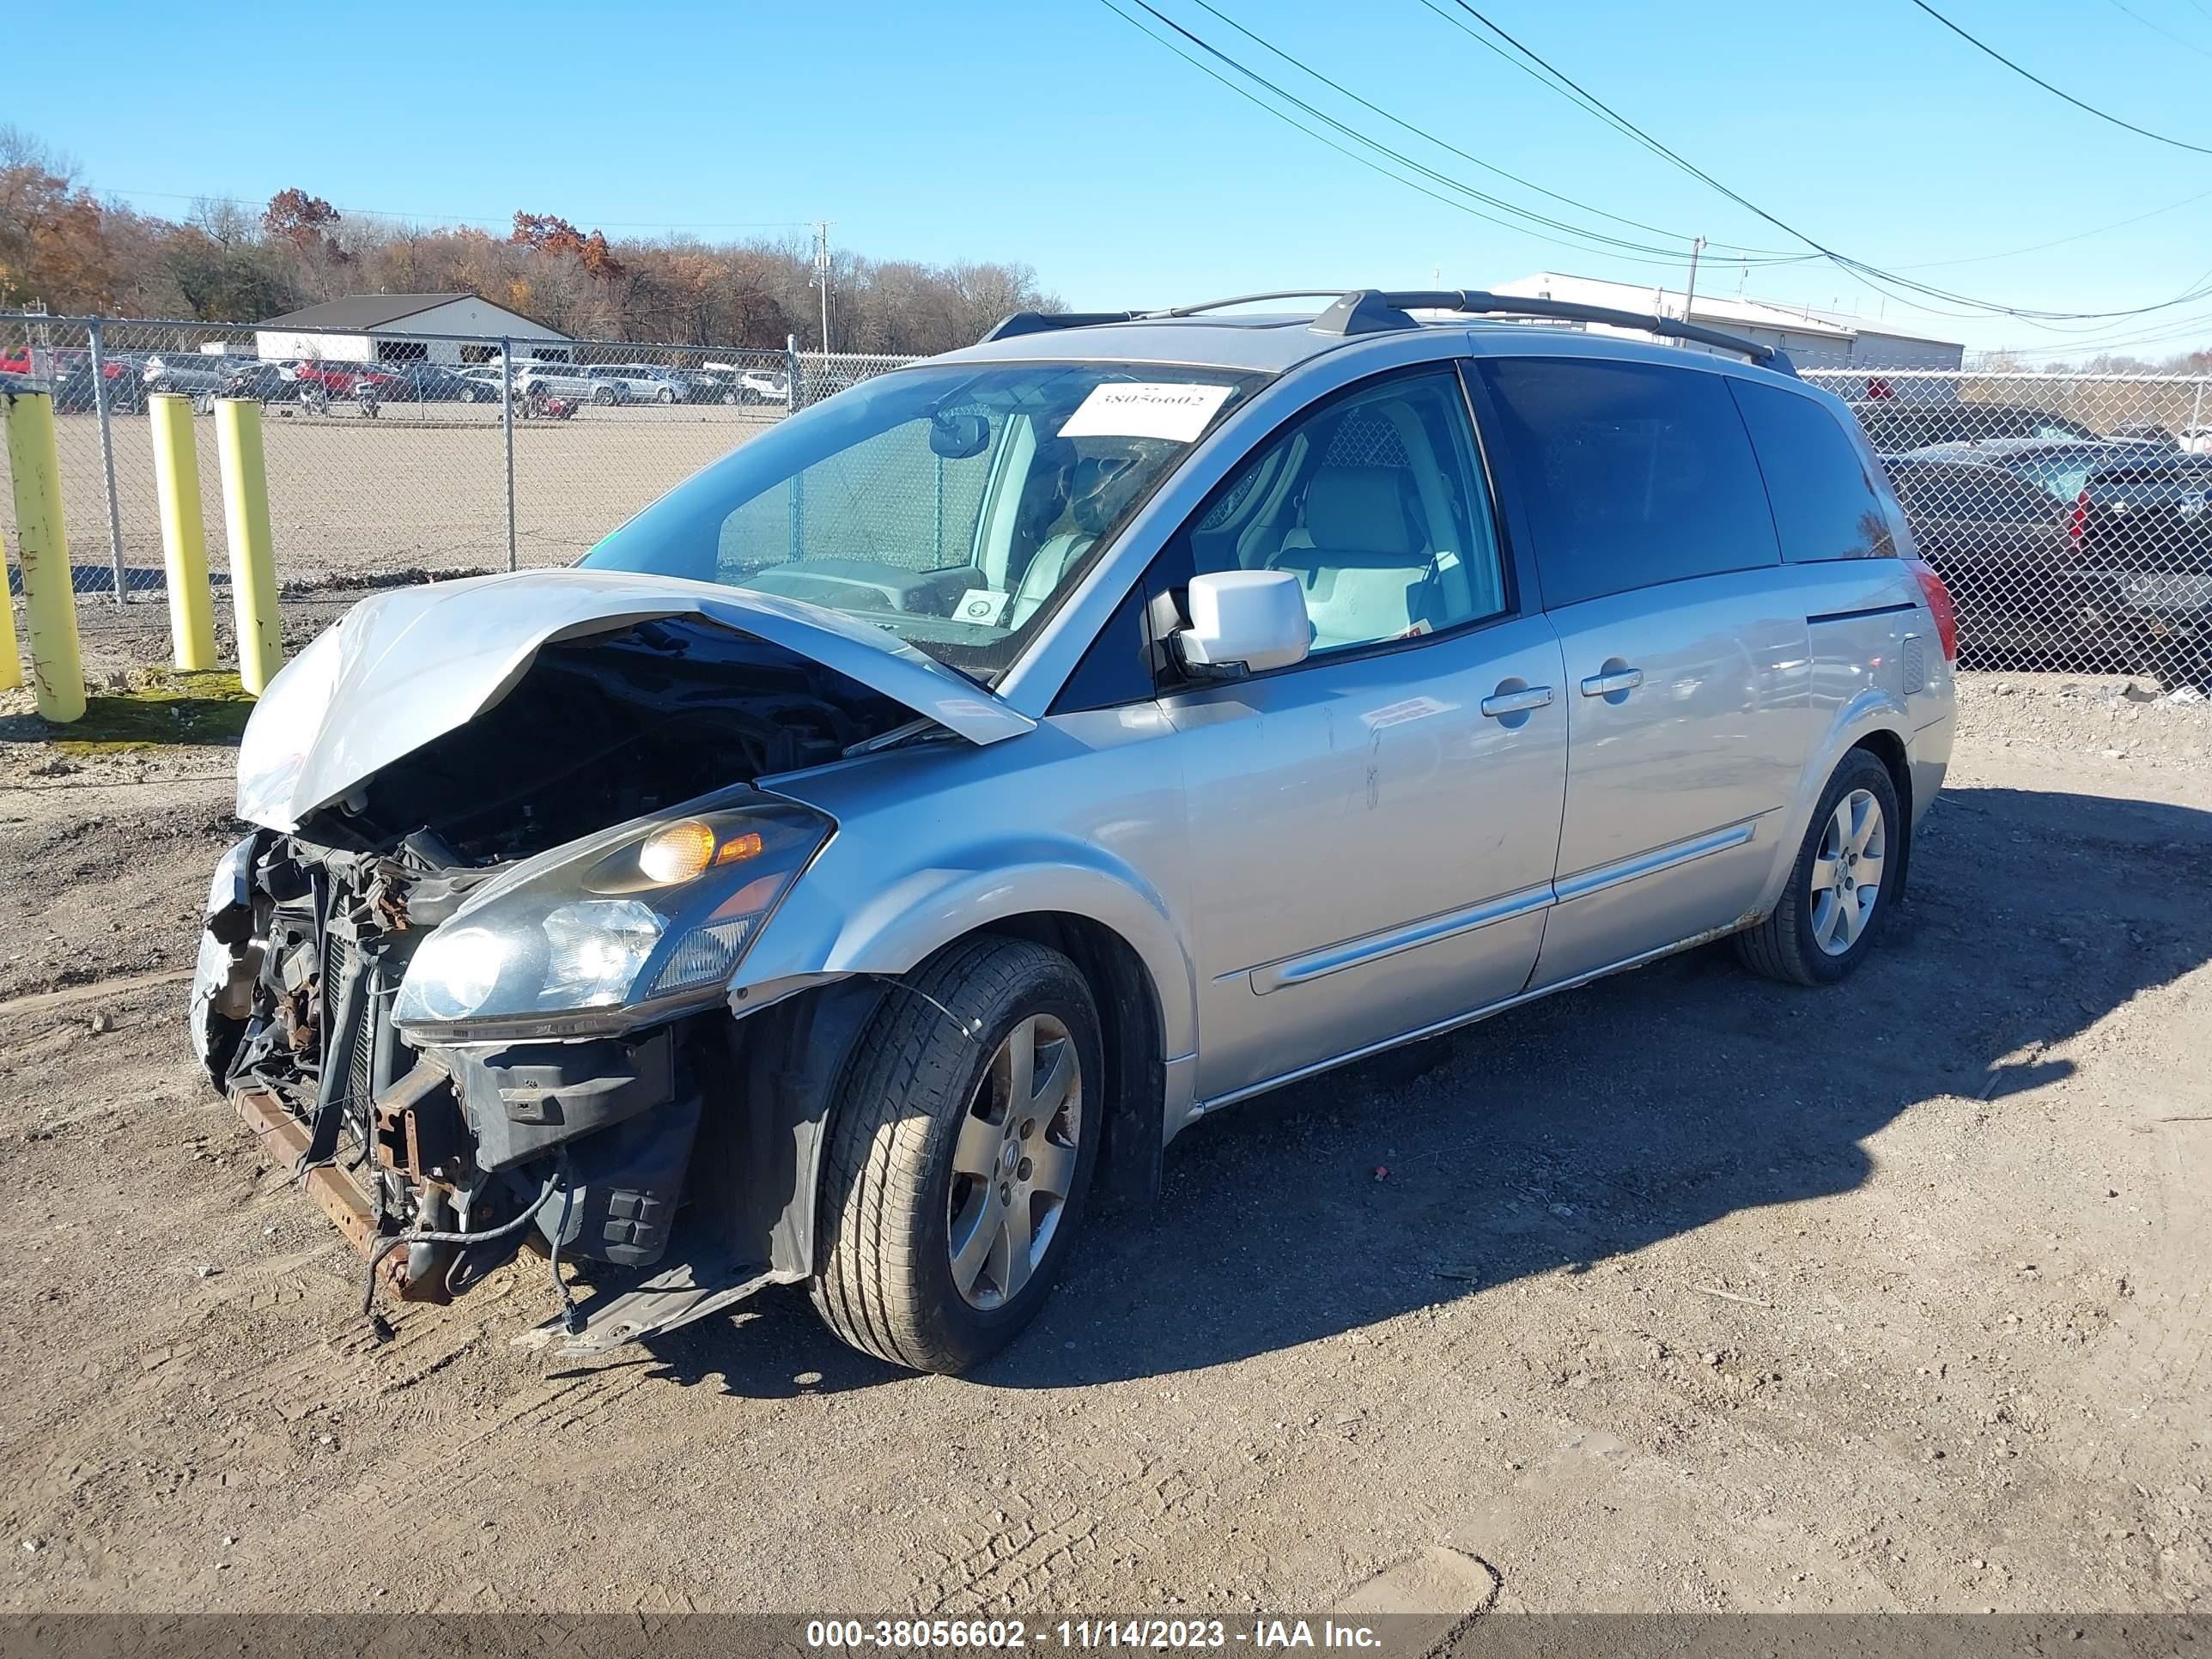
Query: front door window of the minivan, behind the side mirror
x: 1377, y: 505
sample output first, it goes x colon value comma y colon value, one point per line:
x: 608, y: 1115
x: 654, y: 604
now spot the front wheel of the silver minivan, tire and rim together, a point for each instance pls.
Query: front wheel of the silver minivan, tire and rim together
x: 959, y: 1154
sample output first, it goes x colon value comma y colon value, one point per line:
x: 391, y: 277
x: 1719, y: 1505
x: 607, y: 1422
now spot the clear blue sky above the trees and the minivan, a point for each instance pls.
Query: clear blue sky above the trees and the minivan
x: 1061, y: 136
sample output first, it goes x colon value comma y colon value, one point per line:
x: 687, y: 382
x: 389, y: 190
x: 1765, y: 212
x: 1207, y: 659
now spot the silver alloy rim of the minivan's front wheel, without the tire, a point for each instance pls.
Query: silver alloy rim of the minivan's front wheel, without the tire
x: 1014, y: 1162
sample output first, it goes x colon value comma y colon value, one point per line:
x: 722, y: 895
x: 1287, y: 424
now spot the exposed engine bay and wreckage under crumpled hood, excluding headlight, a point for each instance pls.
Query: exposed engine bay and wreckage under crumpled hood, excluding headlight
x: 444, y: 1158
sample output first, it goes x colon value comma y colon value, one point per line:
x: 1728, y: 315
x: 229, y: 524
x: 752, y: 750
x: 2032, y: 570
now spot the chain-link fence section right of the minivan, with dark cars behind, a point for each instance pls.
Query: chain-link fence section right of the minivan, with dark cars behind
x: 2069, y: 514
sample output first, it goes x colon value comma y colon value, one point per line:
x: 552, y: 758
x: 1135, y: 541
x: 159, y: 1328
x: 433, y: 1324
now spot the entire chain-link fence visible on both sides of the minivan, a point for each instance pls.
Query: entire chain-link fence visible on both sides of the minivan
x: 2072, y: 514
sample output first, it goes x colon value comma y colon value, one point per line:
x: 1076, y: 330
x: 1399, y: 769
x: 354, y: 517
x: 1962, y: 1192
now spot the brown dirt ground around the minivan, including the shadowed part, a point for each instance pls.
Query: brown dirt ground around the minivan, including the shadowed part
x: 1678, y: 1293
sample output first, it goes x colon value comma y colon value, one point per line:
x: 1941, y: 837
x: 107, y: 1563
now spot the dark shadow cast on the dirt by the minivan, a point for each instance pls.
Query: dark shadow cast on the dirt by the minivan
x: 1592, y: 1125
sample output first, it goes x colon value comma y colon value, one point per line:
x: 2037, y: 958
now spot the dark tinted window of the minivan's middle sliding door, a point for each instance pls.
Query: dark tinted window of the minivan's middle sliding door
x: 1634, y: 474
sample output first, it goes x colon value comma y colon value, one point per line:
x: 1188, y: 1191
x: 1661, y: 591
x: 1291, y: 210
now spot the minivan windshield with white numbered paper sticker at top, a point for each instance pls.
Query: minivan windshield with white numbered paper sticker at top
x: 948, y: 505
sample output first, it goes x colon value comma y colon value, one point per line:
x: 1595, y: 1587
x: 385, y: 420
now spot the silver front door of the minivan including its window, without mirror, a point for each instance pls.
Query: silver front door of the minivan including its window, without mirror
x: 1375, y: 828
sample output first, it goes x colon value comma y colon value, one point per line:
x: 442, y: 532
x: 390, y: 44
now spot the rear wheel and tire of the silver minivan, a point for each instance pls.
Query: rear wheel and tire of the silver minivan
x: 1841, y: 886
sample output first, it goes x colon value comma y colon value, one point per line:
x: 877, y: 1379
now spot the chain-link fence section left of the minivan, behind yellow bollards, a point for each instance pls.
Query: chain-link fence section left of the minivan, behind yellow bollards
x: 393, y: 457
